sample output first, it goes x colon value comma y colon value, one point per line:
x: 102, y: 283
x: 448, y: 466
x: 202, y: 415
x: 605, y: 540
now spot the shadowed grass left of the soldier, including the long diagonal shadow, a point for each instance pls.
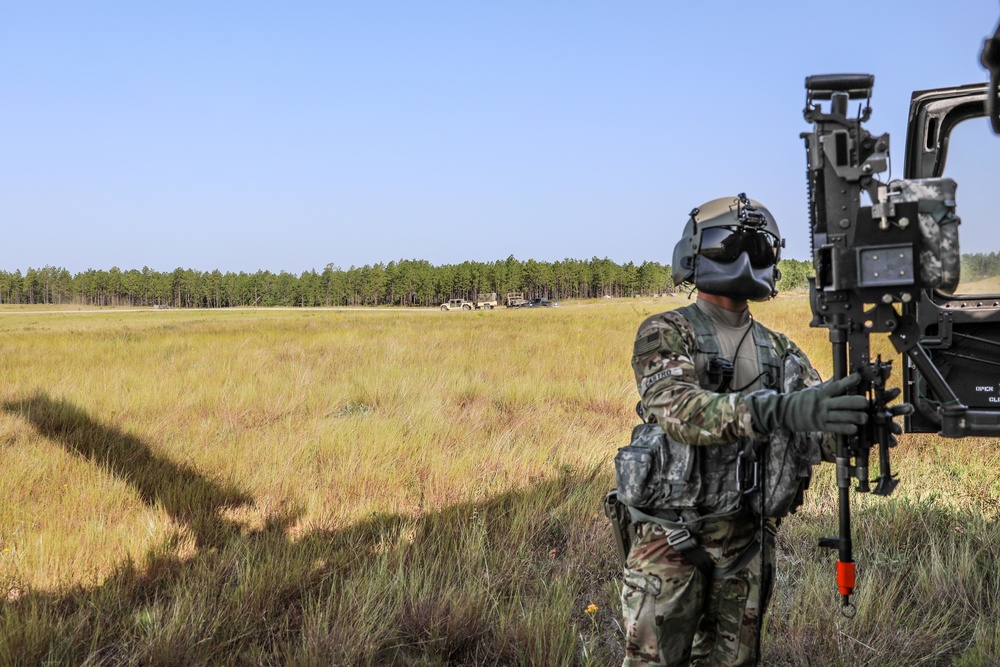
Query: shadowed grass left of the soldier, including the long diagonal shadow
x: 502, y: 581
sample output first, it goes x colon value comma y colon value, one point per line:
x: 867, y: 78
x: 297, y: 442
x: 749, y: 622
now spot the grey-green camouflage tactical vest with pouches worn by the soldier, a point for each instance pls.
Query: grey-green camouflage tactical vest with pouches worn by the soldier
x: 656, y: 473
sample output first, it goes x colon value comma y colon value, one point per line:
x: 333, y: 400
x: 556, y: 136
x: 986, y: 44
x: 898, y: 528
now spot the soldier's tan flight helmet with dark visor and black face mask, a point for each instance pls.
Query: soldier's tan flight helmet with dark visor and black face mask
x: 730, y: 247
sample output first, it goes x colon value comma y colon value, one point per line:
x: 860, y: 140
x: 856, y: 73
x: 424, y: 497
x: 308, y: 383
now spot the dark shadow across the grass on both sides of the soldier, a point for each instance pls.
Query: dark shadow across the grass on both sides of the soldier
x: 502, y: 581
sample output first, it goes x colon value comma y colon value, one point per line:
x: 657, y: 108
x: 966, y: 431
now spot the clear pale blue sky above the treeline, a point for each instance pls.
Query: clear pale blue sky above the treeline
x: 286, y: 136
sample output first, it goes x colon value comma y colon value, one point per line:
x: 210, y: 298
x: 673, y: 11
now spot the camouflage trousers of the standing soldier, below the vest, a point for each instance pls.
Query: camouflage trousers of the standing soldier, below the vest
x: 674, y: 616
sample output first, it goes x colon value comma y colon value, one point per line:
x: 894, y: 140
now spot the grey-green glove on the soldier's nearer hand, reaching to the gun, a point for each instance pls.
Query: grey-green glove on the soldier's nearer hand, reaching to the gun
x: 820, y: 408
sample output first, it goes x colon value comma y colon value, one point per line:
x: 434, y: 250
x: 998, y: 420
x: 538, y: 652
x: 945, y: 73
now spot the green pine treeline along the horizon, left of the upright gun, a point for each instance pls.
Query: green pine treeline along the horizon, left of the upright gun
x: 398, y: 283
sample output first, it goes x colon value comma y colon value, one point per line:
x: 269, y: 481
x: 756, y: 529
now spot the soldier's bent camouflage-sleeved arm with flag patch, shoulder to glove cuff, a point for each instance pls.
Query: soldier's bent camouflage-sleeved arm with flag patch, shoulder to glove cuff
x: 663, y: 362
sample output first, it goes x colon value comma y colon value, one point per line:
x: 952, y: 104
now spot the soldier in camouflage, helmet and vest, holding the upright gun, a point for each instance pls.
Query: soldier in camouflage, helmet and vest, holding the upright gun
x: 722, y: 388
